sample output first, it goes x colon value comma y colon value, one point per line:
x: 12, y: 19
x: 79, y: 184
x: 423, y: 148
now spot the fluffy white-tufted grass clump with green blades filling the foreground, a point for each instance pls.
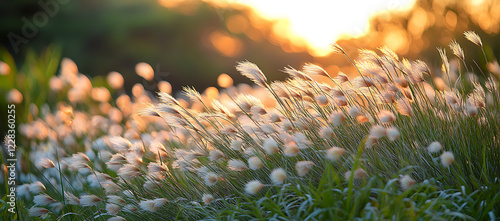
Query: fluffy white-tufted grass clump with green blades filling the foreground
x: 395, y: 142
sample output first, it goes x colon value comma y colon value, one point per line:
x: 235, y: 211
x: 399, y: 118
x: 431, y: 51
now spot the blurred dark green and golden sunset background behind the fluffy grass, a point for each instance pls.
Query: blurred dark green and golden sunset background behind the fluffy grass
x: 192, y: 42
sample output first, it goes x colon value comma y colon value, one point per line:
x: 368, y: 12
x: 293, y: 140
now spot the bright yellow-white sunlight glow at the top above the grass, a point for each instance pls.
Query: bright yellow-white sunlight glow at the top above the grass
x: 318, y: 23
